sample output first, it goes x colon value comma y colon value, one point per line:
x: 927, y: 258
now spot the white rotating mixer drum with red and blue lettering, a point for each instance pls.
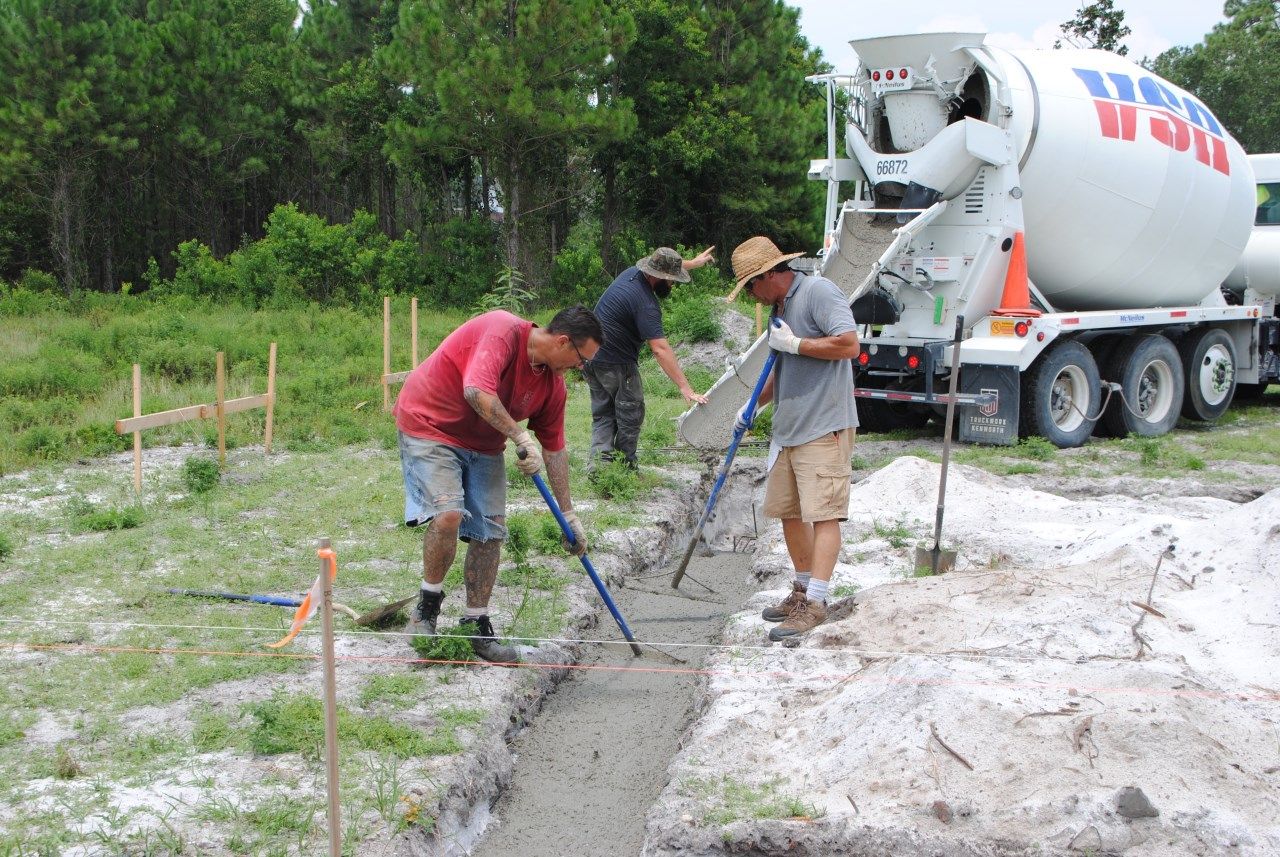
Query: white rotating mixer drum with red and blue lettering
x: 1133, y: 193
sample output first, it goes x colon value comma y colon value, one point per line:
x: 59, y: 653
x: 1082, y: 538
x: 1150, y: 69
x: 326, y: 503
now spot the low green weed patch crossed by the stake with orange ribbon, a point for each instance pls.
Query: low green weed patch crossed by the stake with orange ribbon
x: 295, y: 723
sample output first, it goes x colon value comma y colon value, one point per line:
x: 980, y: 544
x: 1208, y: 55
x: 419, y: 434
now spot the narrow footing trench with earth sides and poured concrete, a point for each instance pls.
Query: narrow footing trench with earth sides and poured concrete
x: 589, y: 749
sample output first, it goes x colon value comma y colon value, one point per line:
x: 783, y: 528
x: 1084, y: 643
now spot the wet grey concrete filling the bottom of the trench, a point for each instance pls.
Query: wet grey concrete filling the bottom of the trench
x: 596, y: 758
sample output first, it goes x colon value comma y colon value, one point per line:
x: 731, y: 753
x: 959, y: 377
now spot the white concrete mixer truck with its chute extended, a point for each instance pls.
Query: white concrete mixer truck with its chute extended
x: 1080, y: 214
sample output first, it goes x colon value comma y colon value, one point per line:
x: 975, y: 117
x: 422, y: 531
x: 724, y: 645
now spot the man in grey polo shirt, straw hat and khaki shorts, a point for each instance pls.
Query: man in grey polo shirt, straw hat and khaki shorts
x: 815, y: 420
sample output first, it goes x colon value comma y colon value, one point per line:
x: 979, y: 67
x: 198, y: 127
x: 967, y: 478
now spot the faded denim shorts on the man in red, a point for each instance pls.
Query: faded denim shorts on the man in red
x: 440, y: 478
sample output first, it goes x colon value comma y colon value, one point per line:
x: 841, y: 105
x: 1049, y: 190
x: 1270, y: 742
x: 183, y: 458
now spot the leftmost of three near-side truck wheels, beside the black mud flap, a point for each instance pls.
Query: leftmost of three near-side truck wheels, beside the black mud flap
x: 1060, y: 395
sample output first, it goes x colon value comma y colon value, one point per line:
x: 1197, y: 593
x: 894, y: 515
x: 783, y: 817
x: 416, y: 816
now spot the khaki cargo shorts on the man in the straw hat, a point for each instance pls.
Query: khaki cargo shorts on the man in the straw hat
x: 811, y: 482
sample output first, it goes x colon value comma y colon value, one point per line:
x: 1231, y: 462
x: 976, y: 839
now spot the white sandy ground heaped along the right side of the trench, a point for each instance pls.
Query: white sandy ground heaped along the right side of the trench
x: 1030, y: 662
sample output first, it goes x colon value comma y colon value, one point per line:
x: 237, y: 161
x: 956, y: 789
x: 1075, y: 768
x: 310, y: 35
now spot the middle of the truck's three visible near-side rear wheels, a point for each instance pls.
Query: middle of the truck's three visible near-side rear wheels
x: 1153, y: 386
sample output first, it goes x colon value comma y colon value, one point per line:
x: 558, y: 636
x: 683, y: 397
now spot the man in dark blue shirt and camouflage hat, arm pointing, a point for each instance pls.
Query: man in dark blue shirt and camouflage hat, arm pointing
x: 632, y: 317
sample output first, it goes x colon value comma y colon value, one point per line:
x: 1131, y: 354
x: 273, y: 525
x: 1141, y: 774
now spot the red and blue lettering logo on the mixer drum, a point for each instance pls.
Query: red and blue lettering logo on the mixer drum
x: 1177, y: 120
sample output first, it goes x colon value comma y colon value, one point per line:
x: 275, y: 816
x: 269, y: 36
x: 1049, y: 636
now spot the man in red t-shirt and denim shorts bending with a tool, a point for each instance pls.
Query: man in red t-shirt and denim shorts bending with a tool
x: 455, y: 415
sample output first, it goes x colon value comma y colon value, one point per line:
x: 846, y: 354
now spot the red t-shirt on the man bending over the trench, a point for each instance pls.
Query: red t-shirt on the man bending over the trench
x: 491, y: 352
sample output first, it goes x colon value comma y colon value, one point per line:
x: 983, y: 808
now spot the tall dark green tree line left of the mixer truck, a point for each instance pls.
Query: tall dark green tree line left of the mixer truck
x: 497, y: 132
